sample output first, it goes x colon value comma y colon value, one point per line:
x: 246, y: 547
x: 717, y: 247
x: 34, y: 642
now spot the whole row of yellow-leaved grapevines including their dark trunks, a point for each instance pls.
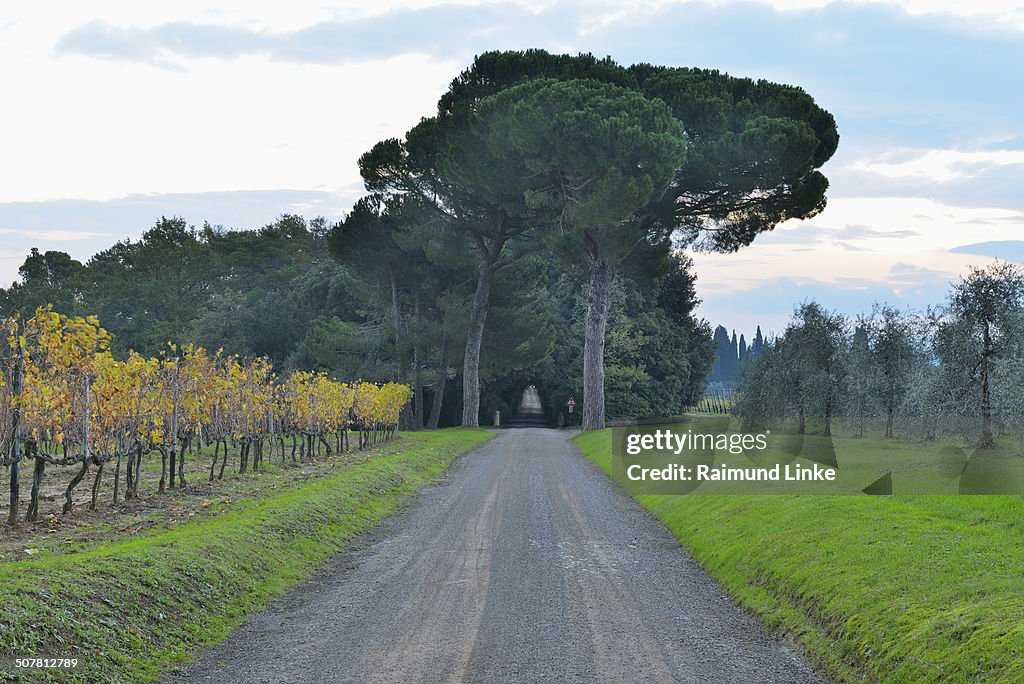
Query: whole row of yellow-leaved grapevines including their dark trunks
x: 67, y: 403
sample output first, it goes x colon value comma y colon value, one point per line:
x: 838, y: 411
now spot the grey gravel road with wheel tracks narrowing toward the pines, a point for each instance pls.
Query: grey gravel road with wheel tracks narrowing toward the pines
x: 526, y: 565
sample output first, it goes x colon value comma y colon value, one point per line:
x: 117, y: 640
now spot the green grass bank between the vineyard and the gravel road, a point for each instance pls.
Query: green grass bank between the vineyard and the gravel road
x: 130, y: 610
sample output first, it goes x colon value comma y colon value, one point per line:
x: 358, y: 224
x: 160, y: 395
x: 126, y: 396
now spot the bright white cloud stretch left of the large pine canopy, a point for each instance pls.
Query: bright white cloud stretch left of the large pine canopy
x: 100, y: 131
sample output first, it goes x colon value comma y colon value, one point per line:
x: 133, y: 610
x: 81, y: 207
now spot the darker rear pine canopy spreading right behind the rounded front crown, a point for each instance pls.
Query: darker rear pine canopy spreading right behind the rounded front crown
x: 755, y: 151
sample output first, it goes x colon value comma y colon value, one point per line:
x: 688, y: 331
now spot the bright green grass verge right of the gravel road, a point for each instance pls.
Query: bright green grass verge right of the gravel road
x: 895, y: 589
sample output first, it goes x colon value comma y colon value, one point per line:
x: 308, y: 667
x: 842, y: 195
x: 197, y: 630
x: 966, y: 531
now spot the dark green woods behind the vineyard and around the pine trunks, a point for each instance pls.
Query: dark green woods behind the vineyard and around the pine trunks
x: 279, y: 292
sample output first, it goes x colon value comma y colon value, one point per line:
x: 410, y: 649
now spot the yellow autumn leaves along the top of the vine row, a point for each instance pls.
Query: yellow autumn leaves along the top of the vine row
x: 72, y: 388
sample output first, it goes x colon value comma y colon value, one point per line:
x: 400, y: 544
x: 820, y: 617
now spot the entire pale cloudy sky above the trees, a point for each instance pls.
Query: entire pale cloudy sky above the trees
x: 118, y: 113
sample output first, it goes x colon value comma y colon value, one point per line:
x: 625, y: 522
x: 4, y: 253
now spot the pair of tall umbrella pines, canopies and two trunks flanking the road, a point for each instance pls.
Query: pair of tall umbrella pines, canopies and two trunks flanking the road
x: 606, y: 166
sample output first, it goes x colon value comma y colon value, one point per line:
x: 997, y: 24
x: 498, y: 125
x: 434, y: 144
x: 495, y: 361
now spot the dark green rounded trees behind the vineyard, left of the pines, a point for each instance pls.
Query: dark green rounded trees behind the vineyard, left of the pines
x: 252, y: 292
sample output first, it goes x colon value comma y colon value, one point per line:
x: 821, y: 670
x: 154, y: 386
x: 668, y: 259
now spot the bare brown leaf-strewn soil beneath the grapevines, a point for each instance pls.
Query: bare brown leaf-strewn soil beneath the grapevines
x: 201, y: 498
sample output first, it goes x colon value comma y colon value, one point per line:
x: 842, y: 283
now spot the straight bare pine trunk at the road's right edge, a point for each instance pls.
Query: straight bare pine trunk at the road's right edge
x: 593, y: 353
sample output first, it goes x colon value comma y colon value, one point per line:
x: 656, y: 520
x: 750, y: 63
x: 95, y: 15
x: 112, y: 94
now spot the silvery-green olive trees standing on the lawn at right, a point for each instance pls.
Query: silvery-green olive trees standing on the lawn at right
x: 956, y: 369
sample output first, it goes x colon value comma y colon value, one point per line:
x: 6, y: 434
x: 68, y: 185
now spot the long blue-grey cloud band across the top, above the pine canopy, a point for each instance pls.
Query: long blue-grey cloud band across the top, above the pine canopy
x: 919, y: 81
